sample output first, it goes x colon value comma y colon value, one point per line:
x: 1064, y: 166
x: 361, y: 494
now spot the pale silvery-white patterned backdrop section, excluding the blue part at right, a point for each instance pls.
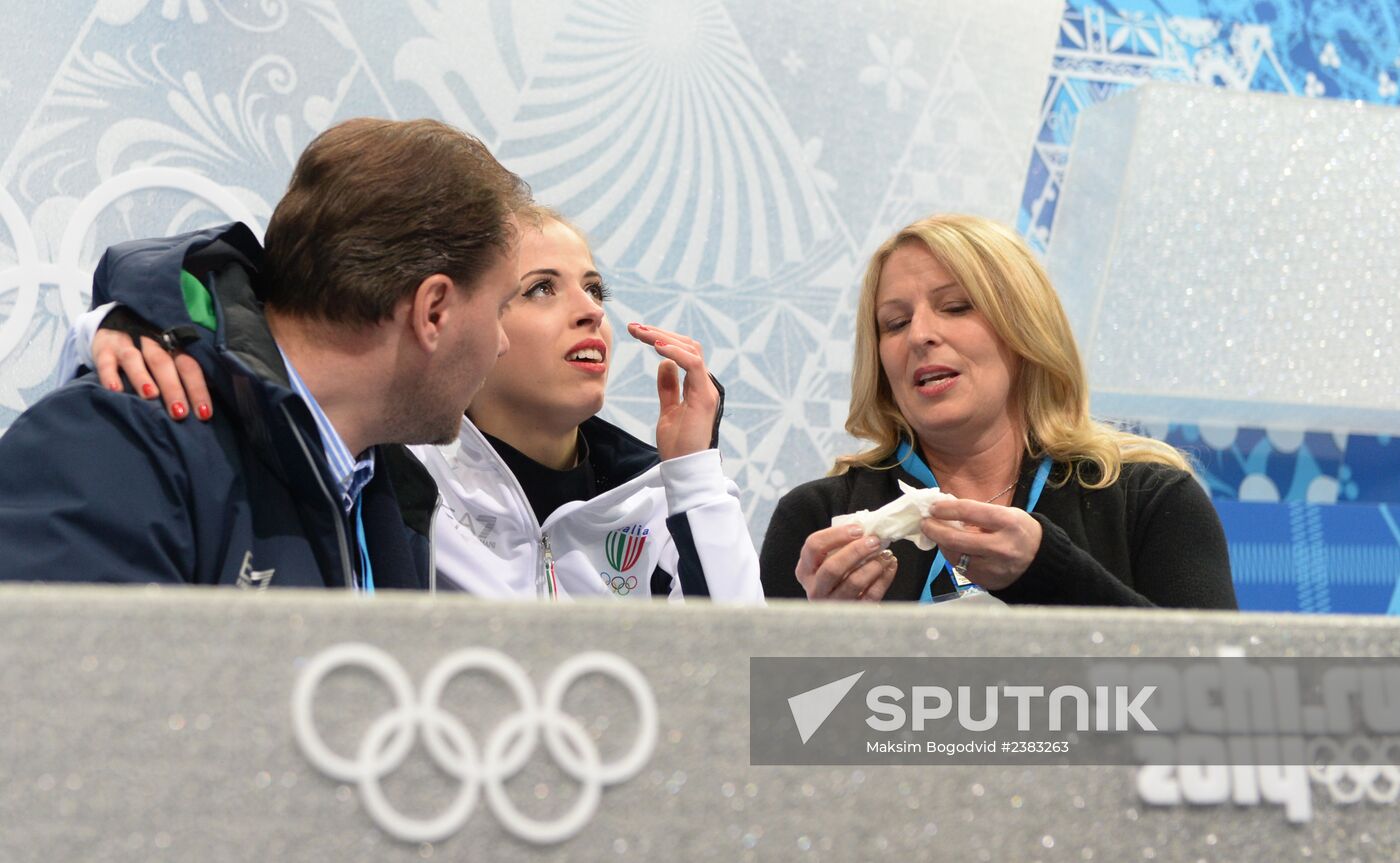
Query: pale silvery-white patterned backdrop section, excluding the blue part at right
x: 731, y: 163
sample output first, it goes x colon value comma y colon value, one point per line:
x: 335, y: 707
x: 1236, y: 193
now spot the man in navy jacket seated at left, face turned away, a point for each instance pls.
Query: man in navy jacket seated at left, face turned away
x: 369, y: 323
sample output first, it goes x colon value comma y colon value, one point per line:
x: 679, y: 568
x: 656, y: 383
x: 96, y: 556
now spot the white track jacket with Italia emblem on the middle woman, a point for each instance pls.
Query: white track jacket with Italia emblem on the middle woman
x: 675, y: 526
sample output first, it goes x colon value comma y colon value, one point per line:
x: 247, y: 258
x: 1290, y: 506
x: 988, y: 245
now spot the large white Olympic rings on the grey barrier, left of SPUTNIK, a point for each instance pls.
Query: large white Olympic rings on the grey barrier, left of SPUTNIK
x: 454, y: 750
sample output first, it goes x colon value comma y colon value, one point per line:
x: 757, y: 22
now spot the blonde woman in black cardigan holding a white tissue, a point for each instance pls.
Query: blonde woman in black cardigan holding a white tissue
x: 968, y: 379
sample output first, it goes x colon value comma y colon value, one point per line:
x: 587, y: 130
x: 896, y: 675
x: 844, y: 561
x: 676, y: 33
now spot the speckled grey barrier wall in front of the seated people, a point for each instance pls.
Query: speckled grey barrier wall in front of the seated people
x: 149, y: 725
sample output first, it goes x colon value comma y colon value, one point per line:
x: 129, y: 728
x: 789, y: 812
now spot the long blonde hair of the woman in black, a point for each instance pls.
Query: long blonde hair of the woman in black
x: 1007, y: 285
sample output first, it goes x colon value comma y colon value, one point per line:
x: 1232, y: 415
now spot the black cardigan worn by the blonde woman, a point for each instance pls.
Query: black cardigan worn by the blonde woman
x: 1151, y: 539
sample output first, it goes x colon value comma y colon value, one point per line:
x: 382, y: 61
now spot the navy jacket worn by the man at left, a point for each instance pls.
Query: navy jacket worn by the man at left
x: 106, y: 487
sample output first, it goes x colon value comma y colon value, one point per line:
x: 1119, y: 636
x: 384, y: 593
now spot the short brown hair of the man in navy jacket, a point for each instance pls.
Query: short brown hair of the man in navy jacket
x: 377, y: 207
